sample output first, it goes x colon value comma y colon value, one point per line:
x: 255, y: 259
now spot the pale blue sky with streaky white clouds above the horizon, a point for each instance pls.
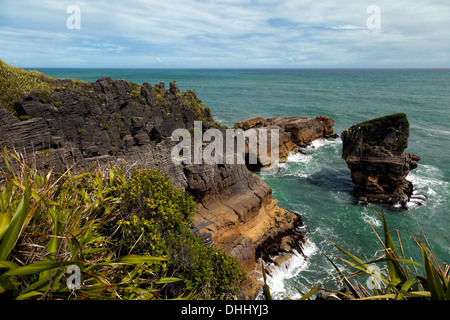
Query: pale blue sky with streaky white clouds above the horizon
x: 225, y: 33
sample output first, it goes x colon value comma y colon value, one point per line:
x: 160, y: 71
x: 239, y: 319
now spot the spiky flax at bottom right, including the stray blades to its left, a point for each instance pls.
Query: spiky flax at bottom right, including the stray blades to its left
x: 404, y: 279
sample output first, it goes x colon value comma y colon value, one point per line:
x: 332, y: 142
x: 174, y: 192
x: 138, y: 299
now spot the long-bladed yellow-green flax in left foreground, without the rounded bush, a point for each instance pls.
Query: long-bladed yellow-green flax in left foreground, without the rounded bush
x: 49, y: 222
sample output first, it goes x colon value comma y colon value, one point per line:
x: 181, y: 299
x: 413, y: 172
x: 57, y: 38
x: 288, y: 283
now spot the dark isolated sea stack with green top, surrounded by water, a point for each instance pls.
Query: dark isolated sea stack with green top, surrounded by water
x: 375, y: 153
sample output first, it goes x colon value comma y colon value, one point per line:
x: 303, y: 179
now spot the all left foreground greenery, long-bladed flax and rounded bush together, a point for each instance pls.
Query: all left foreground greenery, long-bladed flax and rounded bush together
x: 130, y: 238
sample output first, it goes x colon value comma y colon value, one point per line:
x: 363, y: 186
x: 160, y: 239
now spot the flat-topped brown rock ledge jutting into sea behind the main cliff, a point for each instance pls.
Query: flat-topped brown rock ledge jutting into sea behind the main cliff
x: 294, y: 132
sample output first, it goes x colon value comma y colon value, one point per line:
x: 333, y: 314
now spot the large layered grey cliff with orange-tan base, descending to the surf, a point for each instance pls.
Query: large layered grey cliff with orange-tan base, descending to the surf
x: 115, y: 122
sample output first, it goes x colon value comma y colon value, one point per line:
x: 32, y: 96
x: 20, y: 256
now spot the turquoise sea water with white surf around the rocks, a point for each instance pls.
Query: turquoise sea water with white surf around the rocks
x: 317, y: 183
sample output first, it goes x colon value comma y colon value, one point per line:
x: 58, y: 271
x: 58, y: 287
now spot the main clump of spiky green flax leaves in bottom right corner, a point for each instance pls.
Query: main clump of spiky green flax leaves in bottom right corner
x: 404, y: 279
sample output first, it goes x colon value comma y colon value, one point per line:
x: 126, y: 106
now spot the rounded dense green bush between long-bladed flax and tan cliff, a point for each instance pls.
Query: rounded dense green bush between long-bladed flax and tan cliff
x: 156, y: 220
